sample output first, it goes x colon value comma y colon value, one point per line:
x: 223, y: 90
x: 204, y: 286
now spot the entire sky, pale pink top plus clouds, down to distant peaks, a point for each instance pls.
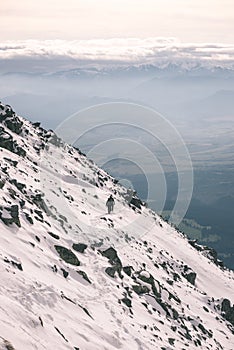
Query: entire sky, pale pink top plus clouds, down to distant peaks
x: 74, y: 33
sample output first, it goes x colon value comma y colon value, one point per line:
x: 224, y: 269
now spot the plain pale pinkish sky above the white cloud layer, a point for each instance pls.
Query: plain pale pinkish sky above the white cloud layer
x: 190, y: 21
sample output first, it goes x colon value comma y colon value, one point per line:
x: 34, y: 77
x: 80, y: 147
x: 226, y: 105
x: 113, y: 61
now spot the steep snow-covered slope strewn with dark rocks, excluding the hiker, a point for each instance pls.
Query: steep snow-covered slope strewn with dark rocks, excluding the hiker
x: 74, y: 277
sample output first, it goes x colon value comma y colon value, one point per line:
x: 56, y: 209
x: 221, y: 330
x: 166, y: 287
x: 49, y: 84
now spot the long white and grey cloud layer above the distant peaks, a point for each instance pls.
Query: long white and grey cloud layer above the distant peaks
x: 127, y: 51
